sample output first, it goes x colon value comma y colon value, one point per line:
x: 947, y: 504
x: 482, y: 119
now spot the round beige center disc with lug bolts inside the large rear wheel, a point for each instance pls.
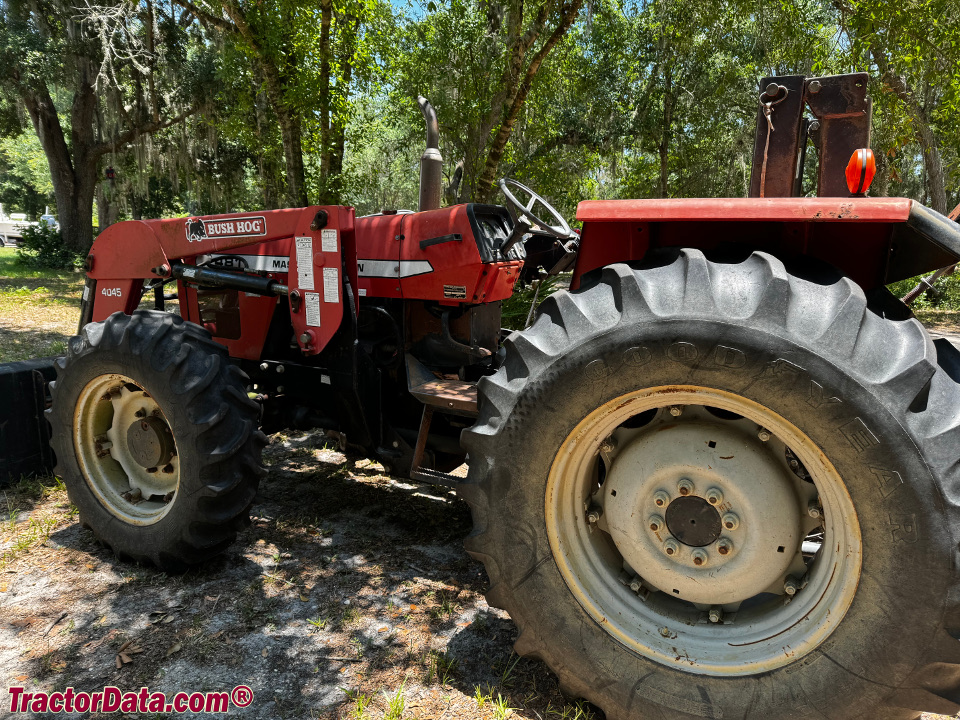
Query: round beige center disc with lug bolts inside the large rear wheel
x: 657, y: 503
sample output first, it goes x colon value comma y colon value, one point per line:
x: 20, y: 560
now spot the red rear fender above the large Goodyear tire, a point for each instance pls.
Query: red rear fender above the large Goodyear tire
x: 874, y: 241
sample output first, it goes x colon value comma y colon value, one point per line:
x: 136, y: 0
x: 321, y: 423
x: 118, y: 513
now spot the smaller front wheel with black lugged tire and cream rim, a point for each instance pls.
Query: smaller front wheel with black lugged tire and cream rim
x: 155, y: 438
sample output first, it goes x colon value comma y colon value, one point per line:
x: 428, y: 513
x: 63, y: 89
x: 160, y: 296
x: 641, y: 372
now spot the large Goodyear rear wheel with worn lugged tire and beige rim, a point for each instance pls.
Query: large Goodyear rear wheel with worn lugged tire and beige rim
x: 641, y: 411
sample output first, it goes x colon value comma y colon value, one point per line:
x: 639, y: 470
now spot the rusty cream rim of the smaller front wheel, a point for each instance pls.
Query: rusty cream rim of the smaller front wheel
x: 136, y: 493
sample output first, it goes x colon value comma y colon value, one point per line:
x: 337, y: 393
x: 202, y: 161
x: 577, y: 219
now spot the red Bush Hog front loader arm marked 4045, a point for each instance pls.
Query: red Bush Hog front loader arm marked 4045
x: 310, y: 248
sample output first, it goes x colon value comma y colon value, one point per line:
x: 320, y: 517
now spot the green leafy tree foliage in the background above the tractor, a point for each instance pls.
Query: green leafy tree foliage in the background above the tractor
x: 637, y: 99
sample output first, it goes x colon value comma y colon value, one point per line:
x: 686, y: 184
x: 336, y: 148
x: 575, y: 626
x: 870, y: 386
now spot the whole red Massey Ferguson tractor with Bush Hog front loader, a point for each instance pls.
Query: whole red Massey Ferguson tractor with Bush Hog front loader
x: 718, y: 477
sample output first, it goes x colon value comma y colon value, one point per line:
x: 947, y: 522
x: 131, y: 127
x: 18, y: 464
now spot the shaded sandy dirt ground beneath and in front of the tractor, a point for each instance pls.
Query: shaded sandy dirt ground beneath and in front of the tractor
x: 349, y: 596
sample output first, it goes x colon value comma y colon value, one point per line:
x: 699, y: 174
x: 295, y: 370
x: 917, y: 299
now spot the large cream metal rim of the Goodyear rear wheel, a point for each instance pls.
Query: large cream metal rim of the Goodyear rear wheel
x: 603, y: 559
